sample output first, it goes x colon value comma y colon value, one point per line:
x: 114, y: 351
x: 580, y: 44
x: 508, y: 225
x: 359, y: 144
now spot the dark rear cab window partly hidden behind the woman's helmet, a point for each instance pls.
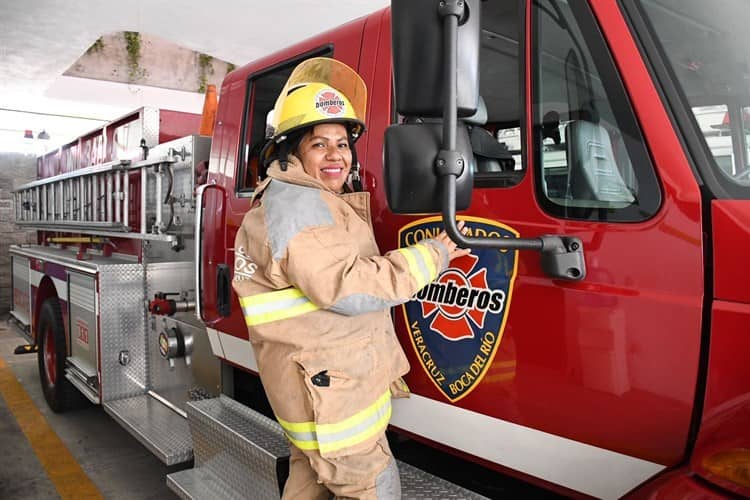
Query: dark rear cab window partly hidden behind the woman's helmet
x: 262, y: 90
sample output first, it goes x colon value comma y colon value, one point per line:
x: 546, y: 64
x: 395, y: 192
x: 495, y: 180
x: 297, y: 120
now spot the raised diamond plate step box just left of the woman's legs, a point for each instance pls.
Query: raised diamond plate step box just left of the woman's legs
x: 238, y: 445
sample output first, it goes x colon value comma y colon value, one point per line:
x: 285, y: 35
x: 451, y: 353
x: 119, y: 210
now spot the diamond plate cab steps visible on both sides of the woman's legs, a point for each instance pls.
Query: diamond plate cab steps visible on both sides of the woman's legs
x: 241, y: 454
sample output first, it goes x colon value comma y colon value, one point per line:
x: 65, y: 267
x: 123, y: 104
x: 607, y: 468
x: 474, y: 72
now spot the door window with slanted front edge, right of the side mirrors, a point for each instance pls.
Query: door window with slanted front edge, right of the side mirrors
x: 588, y: 150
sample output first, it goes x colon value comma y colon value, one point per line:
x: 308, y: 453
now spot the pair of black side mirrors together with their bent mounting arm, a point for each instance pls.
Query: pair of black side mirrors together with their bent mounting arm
x: 435, y: 63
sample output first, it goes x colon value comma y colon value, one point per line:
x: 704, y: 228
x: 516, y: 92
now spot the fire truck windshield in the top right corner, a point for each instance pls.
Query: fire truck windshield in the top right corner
x: 707, y: 45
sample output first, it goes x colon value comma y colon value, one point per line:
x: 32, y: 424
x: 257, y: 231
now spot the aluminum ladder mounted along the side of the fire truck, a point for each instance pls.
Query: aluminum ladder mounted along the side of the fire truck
x: 102, y: 199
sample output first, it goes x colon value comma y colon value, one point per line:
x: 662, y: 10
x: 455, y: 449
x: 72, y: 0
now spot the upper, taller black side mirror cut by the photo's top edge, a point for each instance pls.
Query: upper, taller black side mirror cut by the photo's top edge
x: 417, y: 36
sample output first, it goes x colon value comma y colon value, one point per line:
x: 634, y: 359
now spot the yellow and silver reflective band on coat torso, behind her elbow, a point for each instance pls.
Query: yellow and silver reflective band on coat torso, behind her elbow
x: 273, y: 306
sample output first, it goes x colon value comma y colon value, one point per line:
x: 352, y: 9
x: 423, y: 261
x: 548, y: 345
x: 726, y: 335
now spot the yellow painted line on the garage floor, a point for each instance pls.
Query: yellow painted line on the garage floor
x: 62, y: 469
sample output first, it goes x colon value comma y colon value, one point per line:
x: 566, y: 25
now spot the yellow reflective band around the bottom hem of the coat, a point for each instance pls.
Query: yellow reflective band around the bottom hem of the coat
x: 349, y: 432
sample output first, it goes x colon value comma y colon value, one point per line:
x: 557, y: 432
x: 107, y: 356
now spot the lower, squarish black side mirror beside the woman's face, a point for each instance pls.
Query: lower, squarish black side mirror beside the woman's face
x: 411, y: 183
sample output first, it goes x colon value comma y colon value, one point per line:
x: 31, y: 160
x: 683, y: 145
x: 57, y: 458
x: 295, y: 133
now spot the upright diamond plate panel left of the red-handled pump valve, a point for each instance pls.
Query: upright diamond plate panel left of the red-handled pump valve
x: 123, y: 322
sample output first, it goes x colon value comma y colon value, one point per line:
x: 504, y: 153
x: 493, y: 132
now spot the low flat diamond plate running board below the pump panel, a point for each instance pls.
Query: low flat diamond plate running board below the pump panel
x: 159, y: 428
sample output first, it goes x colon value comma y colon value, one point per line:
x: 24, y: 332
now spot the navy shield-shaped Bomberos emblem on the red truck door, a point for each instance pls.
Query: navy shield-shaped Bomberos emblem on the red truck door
x: 456, y: 322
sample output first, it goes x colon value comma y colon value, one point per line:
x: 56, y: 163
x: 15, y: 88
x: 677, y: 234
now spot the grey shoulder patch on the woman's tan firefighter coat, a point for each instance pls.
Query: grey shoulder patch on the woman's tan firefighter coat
x: 290, y: 209
